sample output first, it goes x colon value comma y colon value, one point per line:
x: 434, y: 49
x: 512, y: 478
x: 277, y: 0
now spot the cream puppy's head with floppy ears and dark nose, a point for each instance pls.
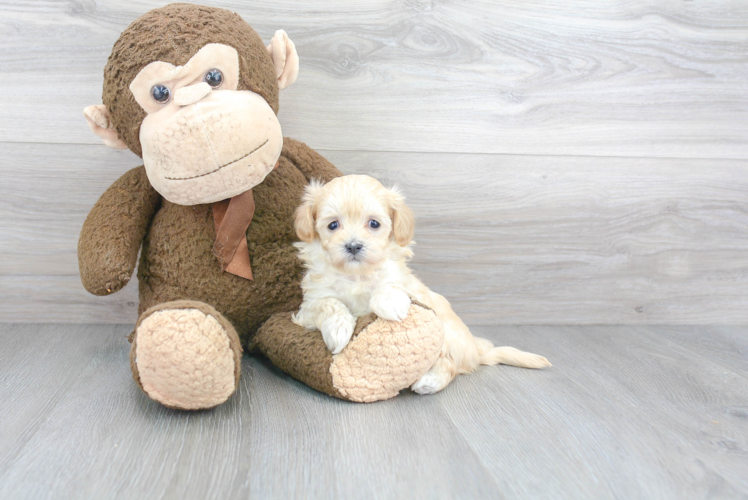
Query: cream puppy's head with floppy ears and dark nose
x: 357, y: 220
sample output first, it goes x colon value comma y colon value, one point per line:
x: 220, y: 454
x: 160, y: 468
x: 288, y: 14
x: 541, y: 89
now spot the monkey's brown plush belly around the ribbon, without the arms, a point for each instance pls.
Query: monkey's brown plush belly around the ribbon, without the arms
x: 177, y: 260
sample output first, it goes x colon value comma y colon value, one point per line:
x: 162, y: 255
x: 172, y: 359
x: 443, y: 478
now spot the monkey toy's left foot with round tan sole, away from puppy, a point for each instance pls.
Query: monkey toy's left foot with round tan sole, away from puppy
x: 185, y: 355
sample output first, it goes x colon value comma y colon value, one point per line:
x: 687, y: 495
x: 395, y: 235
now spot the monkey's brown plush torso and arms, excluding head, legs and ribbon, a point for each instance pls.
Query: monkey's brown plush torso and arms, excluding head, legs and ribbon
x: 177, y: 261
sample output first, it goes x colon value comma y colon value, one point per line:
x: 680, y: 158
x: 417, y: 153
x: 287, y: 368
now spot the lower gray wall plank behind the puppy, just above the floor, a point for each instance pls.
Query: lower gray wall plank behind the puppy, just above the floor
x: 507, y: 239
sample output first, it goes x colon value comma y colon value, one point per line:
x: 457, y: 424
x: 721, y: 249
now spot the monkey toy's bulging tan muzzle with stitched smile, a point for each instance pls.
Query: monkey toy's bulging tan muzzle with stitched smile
x: 217, y: 147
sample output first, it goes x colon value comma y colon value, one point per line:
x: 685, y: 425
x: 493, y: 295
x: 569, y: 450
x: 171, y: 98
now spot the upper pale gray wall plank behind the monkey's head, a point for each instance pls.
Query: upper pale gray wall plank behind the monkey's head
x: 624, y: 78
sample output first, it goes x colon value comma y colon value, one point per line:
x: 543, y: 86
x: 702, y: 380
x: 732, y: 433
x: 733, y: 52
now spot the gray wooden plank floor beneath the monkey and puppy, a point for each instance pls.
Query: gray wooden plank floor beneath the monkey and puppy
x: 626, y: 412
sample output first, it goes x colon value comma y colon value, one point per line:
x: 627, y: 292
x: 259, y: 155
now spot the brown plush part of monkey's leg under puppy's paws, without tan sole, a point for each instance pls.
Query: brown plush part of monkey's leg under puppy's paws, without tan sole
x: 299, y: 352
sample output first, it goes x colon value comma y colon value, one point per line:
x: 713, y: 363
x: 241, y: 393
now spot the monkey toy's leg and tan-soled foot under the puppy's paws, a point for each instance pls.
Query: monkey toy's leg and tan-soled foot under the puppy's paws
x: 382, y: 358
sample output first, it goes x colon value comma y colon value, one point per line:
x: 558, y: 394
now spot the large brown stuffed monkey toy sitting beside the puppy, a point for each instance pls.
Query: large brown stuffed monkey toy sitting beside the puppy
x: 193, y: 91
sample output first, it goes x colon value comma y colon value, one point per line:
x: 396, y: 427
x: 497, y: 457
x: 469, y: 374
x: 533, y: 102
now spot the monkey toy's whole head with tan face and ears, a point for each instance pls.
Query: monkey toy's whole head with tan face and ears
x: 194, y: 92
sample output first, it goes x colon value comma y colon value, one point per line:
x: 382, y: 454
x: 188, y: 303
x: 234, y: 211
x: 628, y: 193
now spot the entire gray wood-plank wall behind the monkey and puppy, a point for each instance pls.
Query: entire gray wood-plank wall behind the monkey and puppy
x: 570, y: 162
